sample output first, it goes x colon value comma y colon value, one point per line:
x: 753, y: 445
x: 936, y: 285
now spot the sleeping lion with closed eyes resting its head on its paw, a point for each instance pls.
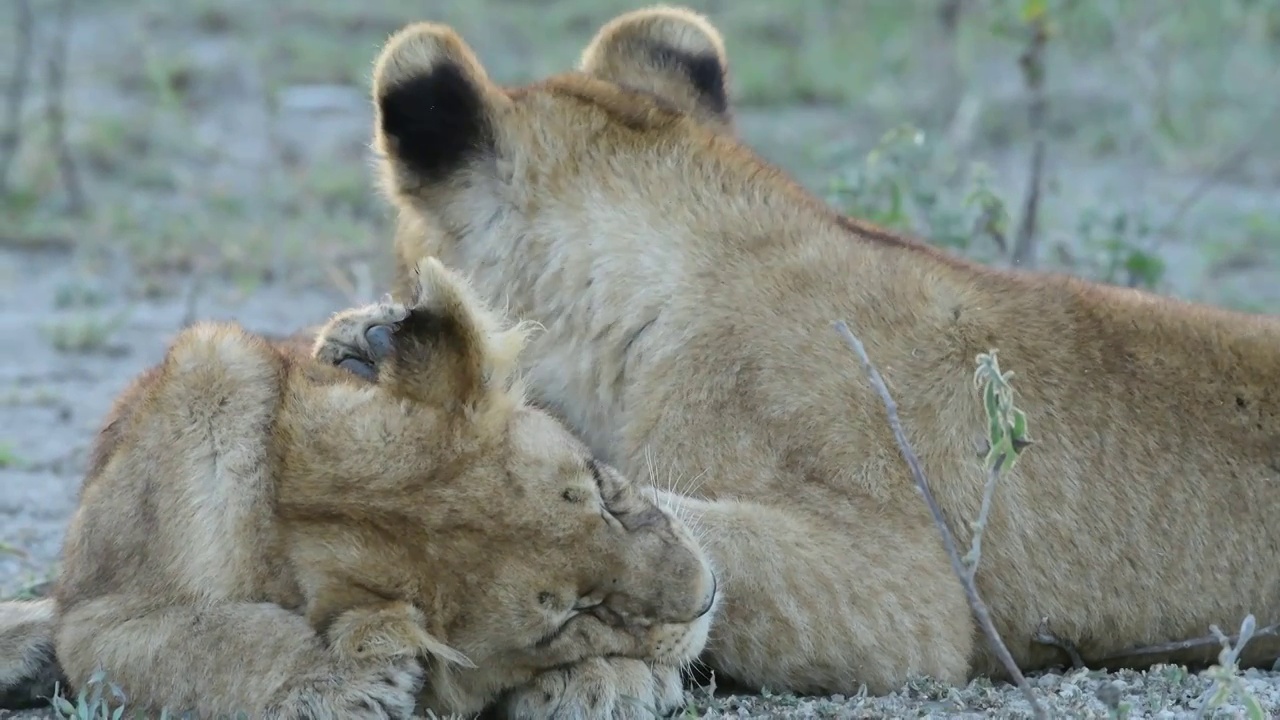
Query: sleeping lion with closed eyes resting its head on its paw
x: 298, y: 537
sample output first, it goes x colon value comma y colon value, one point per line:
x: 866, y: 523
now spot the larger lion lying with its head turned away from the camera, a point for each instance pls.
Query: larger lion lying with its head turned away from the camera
x: 689, y: 293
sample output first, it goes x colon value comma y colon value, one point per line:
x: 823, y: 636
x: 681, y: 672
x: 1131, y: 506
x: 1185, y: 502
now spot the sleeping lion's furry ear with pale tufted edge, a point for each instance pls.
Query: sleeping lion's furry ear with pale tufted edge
x: 451, y: 350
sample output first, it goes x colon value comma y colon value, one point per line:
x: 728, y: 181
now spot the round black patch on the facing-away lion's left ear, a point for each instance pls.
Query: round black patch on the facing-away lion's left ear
x: 435, y: 124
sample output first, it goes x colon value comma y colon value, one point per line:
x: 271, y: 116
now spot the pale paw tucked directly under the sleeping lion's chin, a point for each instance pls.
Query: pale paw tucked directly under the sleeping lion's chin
x: 609, y: 689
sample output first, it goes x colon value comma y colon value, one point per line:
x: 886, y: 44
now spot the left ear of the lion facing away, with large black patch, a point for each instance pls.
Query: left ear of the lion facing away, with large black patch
x: 435, y: 106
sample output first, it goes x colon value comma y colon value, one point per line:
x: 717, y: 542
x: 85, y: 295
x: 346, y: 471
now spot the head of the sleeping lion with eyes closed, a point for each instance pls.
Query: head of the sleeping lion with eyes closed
x: 523, y: 550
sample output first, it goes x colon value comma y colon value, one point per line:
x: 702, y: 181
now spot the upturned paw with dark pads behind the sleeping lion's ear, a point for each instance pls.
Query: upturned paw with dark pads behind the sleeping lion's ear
x: 360, y: 339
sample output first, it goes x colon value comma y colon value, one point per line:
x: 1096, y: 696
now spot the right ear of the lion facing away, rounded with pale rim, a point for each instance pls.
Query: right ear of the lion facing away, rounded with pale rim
x: 671, y: 52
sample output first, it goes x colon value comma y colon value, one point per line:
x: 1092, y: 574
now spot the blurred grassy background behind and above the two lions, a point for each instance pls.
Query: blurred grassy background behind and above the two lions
x: 167, y: 161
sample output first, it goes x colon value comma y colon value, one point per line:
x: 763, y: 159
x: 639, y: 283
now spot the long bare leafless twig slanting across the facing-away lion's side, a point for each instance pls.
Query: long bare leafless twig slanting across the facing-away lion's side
x: 976, y: 604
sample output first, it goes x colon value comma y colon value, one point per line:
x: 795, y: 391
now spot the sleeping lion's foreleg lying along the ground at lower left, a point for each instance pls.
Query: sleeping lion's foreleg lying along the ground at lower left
x: 243, y: 658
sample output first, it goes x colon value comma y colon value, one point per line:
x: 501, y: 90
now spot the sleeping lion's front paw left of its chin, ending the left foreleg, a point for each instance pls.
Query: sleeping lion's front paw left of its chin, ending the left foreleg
x: 385, y: 691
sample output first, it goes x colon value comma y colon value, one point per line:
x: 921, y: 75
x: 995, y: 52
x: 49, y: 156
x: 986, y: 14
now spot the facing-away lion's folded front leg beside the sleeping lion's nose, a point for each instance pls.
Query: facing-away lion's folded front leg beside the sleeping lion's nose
x: 817, y: 607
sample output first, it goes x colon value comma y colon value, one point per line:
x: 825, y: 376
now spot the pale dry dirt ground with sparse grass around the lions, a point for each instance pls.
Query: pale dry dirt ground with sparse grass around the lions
x: 222, y: 151
